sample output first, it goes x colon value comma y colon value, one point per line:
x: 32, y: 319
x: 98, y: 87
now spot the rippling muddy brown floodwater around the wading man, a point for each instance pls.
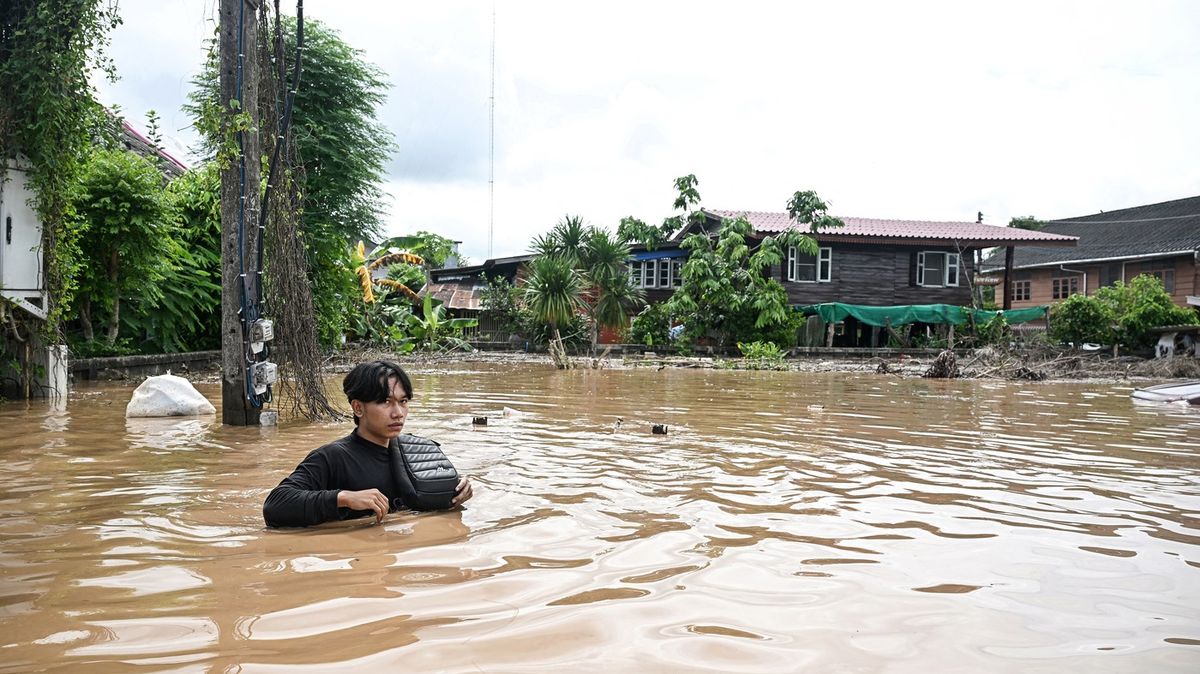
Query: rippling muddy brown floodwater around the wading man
x: 788, y: 522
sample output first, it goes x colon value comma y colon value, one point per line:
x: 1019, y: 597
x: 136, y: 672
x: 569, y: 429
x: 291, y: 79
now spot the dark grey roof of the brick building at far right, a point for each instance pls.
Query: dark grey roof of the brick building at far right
x: 1141, y: 232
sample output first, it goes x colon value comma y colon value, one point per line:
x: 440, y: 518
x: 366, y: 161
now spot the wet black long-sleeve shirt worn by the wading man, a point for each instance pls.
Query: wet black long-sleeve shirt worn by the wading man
x: 309, y: 496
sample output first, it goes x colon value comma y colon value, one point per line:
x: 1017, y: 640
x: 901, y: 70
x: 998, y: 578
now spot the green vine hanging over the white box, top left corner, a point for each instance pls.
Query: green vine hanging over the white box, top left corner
x: 49, y: 50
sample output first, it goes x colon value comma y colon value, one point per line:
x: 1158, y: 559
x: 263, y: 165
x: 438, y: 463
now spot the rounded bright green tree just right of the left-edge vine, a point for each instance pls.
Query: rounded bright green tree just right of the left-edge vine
x: 123, y: 224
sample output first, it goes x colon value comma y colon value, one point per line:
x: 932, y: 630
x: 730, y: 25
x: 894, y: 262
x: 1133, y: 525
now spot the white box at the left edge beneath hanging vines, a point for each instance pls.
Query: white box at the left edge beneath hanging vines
x: 21, y: 243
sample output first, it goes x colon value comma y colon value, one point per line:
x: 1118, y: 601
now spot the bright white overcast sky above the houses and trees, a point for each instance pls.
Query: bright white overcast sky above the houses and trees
x: 915, y: 110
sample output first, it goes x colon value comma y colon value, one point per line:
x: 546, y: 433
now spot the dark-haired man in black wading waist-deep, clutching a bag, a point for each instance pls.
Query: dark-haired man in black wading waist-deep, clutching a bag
x: 352, y: 477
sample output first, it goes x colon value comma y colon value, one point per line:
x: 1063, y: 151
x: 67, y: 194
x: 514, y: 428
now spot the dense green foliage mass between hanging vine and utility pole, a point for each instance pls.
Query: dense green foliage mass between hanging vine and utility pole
x: 151, y: 266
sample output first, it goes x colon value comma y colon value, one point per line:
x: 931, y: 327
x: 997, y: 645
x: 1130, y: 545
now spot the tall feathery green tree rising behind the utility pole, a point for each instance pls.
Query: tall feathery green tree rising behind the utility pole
x: 344, y: 151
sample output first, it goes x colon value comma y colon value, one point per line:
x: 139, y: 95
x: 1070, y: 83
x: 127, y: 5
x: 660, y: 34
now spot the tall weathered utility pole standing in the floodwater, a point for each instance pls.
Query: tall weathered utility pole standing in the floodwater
x: 239, y: 204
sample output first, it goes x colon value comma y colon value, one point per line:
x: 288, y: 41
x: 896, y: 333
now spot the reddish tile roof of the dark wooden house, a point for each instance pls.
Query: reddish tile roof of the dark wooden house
x: 908, y: 230
